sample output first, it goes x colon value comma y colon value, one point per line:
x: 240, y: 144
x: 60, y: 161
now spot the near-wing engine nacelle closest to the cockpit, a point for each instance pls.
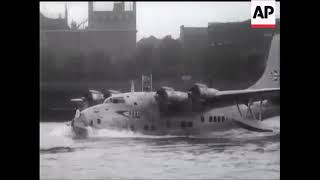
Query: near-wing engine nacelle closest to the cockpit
x: 168, y: 95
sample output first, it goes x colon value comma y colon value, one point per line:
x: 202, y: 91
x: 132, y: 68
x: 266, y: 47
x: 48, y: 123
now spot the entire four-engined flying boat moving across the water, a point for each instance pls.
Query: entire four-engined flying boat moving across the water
x: 200, y: 110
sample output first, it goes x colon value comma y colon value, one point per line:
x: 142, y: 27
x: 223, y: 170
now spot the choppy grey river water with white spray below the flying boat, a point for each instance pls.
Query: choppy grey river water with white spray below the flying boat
x: 125, y: 155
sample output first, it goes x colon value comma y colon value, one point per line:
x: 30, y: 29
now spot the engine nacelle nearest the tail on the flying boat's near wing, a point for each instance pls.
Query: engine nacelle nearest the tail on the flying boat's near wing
x: 202, y: 91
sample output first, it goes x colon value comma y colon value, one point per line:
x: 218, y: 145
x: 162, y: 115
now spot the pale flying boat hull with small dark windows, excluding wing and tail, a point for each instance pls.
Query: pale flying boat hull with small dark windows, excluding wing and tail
x: 140, y: 112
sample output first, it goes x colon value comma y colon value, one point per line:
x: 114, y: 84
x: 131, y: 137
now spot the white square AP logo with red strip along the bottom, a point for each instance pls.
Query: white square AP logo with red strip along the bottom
x: 263, y: 14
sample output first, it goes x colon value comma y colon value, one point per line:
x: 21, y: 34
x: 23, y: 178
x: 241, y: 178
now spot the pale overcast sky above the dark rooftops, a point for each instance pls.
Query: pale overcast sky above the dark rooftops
x: 162, y: 18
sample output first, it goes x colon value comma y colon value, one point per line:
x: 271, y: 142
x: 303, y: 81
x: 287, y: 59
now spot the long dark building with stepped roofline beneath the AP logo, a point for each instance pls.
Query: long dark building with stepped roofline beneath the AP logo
x: 240, y: 34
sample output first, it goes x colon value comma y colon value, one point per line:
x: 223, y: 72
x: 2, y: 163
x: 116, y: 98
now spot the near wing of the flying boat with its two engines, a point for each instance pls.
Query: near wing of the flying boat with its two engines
x: 200, y: 94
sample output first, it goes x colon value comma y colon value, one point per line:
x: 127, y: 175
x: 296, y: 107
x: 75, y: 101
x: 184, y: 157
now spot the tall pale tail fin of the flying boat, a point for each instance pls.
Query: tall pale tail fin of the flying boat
x: 271, y: 75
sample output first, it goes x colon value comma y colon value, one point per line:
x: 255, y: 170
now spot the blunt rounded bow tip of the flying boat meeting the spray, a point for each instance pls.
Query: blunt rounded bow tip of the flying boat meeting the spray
x: 79, y: 126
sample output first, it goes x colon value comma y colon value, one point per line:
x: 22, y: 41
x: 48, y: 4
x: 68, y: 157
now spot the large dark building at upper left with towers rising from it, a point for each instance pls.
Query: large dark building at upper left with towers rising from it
x: 110, y: 33
